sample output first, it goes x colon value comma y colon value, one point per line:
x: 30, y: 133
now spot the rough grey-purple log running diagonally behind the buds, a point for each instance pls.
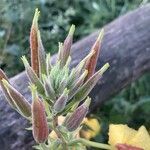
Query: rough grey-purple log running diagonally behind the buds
x: 126, y: 46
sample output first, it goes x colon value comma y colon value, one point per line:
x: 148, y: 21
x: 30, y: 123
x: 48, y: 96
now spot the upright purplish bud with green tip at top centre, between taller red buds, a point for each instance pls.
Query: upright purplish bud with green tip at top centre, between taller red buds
x: 67, y: 46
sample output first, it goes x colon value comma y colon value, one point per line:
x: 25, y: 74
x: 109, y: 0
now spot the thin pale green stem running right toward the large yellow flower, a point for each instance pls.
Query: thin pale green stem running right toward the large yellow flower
x: 90, y: 143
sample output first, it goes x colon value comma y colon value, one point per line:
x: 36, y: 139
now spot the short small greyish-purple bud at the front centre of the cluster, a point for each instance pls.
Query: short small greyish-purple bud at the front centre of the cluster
x: 61, y: 102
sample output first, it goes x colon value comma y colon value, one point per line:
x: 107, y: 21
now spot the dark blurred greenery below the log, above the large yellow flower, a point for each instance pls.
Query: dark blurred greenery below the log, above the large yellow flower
x: 131, y: 106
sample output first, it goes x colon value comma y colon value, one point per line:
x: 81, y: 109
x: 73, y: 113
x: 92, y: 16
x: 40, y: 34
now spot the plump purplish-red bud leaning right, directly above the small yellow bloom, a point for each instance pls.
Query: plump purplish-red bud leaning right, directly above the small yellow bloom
x: 74, y: 121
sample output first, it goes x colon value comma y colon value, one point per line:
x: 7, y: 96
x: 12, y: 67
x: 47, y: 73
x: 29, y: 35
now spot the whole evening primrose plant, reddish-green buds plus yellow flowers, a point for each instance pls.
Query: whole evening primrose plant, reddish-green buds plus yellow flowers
x: 60, y: 99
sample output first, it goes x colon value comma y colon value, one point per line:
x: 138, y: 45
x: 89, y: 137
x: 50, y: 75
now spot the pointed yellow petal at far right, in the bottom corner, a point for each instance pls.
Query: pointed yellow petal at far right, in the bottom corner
x: 141, y: 139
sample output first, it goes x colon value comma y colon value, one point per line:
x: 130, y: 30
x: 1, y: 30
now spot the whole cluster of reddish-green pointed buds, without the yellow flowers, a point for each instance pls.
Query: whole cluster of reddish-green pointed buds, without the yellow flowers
x: 62, y: 88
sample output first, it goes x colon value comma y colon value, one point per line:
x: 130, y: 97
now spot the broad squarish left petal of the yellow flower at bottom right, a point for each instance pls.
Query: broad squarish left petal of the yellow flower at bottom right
x: 120, y: 134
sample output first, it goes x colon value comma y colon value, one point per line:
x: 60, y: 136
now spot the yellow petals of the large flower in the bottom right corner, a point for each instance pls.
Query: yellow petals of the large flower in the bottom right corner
x: 122, y: 134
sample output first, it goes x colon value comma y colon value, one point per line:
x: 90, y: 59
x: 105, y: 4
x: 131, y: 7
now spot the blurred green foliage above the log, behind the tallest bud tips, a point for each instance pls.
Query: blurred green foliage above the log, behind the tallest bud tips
x: 56, y: 17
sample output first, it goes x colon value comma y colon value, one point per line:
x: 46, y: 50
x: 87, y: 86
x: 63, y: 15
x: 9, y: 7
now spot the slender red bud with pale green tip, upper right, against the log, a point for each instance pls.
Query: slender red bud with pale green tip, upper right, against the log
x: 91, y: 65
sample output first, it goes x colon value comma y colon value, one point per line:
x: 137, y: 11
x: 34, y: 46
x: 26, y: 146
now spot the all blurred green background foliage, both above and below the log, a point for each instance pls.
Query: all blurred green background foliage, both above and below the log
x: 132, y: 105
